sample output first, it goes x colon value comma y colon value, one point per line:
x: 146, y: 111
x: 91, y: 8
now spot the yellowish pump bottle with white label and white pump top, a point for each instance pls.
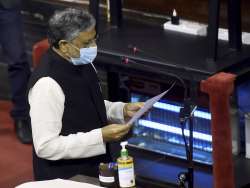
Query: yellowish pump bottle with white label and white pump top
x: 126, y: 173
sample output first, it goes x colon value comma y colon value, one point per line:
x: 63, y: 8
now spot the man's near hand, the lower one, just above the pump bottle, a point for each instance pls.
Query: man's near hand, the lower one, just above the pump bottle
x: 115, y: 132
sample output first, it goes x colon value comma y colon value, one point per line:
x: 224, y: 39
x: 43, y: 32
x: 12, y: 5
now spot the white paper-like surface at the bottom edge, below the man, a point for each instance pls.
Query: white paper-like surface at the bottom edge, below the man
x: 56, y: 183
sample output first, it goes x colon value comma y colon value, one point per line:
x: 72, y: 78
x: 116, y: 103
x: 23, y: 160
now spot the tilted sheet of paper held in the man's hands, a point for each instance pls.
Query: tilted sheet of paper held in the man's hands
x: 148, y: 104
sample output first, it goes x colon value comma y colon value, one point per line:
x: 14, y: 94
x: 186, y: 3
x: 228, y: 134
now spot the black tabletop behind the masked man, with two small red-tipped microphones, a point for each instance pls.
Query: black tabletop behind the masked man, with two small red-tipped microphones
x: 167, y: 51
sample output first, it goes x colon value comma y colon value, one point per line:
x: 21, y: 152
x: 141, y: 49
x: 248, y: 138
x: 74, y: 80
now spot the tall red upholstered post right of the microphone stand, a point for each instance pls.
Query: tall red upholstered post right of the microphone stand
x: 219, y: 88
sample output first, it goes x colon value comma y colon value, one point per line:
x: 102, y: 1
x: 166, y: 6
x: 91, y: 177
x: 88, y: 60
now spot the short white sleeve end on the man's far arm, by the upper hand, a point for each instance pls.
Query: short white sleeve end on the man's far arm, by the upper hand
x: 115, y: 111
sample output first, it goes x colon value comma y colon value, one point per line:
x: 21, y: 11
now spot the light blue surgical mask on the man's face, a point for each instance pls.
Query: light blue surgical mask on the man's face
x: 87, y: 55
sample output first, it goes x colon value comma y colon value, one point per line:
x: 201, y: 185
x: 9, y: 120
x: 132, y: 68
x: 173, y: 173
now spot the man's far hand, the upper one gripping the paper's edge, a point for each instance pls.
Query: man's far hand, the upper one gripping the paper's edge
x: 131, y: 108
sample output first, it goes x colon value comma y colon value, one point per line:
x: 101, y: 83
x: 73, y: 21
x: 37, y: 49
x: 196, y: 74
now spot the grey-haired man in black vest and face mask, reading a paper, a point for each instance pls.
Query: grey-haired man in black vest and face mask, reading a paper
x: 68, y: 114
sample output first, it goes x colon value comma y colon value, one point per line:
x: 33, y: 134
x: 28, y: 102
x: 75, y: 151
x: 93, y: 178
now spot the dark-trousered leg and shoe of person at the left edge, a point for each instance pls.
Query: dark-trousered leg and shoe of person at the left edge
x: 12, y: 43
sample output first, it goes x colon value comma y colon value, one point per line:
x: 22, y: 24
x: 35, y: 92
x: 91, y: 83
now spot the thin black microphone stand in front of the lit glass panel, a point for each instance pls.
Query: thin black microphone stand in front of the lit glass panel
x: 186, y: 115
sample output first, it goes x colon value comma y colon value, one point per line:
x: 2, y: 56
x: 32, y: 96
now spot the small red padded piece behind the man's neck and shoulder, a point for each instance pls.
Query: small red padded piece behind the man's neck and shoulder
x: 38, y: 50
